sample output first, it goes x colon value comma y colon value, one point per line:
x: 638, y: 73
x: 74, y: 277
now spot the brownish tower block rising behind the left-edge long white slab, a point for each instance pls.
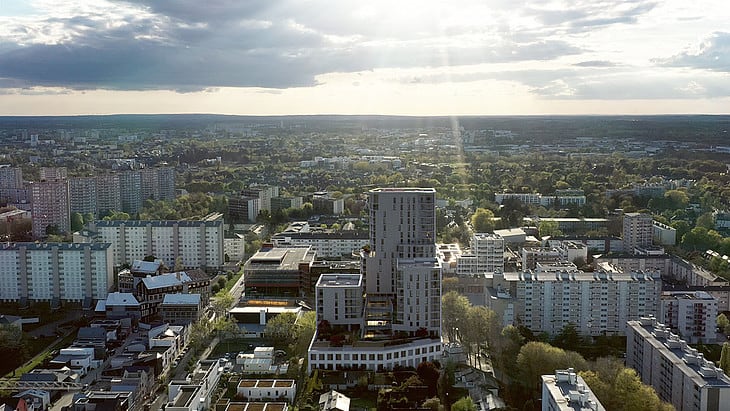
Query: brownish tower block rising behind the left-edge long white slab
x: 50, y: 206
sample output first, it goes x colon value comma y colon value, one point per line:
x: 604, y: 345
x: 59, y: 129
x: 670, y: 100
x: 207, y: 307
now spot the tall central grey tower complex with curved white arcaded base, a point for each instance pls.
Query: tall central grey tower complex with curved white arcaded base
x: 402, y: 282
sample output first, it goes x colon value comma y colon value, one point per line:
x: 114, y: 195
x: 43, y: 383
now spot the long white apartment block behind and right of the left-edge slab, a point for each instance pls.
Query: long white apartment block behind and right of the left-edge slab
x: 198, y: 243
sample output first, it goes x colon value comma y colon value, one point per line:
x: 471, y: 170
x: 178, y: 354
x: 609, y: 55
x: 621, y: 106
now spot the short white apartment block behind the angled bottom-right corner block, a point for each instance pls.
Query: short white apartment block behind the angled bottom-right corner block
x: 693, y: 315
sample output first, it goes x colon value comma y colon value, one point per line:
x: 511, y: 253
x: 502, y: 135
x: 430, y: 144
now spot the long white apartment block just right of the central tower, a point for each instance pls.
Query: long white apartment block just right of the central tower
x: 552, y: 296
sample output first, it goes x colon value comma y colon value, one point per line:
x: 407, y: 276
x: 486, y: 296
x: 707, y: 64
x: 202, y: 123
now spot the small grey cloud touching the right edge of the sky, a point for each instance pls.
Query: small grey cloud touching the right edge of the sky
x: 713, y: 54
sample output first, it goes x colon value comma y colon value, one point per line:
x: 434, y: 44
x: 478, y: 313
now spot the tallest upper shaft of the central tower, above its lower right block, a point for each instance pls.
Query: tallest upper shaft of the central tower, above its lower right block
x: 402, y: 226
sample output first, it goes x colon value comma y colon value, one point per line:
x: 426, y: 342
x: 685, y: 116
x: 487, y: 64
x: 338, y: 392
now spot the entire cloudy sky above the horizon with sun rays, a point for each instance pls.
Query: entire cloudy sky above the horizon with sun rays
x: 420, y: 57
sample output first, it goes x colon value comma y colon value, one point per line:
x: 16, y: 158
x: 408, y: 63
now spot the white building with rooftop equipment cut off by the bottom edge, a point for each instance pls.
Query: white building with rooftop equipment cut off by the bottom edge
x: 567, y: 391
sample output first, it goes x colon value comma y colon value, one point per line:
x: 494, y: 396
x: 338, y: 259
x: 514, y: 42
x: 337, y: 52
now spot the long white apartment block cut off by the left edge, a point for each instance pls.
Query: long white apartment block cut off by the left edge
x: 55, y: 272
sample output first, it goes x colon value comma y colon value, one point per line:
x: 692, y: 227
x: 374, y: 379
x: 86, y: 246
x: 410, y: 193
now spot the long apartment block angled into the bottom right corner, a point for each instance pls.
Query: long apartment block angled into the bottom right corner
x: 678, y: 373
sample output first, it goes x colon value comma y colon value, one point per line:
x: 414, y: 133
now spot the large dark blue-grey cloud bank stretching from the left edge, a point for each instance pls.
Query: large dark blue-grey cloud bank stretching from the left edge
x: 196, y: 45
